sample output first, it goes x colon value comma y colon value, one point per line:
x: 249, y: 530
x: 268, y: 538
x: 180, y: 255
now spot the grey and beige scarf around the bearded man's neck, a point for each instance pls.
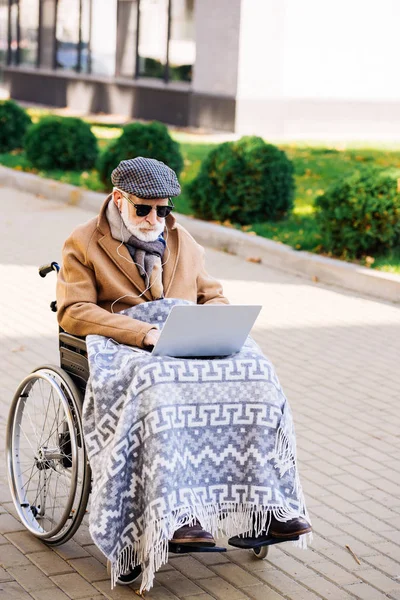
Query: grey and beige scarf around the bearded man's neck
x: 146, y: 255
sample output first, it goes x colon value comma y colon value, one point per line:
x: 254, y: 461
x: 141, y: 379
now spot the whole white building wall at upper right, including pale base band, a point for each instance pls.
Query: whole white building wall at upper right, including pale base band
x: 324, y: 68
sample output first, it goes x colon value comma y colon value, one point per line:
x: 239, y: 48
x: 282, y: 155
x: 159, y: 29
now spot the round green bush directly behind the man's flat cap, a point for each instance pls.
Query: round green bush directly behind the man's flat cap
x: 150, y: 140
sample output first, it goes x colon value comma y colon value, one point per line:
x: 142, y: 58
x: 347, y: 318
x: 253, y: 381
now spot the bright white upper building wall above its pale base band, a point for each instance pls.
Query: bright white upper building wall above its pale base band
x: 347, y: 49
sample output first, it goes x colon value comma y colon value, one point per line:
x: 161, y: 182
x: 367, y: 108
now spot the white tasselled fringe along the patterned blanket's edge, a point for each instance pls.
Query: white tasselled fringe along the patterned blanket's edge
x: 227, y: 518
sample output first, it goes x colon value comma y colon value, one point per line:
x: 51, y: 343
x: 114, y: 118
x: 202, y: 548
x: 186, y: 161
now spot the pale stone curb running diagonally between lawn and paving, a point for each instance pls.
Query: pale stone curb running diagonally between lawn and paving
x: 362, y: 280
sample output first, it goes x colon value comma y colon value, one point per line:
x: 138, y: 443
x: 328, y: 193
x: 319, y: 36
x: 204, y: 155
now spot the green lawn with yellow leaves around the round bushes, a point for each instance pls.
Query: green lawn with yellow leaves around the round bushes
x: 316, y: 167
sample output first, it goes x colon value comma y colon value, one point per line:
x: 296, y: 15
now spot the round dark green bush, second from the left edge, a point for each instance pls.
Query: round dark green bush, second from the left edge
x: 61, y: 143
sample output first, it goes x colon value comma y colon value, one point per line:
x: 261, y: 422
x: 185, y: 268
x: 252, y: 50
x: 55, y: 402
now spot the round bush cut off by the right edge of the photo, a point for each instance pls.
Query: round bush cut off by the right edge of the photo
x: 361, y: 215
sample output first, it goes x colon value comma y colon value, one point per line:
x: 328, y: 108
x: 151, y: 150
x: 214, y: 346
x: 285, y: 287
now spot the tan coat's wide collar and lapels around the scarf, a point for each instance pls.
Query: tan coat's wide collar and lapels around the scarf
x: 120, y: 256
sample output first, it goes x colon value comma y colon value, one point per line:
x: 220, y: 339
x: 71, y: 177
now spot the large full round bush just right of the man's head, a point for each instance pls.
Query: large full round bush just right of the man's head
x: 245, y: 182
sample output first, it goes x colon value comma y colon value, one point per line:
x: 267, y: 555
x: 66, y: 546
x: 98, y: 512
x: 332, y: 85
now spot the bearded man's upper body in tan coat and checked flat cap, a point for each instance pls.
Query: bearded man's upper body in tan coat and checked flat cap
x: 132, y: 252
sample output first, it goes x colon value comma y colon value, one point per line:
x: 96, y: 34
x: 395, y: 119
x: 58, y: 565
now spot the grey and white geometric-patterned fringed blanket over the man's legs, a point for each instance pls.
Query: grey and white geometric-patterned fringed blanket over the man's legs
x: 173, y: 440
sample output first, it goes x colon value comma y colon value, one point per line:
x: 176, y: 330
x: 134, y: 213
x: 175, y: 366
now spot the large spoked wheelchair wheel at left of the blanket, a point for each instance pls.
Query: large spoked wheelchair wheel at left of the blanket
x: 48, y: 471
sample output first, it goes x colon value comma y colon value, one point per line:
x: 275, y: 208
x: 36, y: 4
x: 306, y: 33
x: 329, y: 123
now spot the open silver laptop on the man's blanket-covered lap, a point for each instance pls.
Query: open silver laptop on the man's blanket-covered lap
x: 205, y: 330
